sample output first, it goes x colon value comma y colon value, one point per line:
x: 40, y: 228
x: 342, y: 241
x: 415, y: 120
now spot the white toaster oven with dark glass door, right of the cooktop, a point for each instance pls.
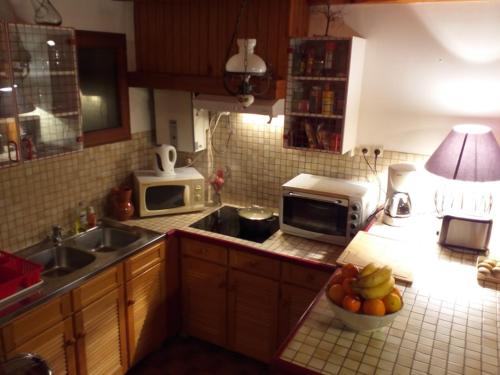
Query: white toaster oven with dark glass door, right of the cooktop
x: 324, y: 208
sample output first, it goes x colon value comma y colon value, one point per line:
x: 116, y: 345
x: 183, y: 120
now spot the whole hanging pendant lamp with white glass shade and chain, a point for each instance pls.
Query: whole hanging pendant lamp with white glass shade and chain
x: 245, y: 74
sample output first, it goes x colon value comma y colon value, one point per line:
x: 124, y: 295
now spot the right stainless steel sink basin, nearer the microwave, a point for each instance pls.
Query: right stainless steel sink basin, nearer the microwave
x: 105, y: 239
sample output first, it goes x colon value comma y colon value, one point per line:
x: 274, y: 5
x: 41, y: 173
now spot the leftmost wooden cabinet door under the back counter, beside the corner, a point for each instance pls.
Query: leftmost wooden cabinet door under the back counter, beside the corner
x: 204, y: 300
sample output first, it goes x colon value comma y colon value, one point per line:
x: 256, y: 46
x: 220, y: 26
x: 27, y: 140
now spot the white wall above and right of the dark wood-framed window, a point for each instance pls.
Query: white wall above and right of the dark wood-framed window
x: 99, y: 15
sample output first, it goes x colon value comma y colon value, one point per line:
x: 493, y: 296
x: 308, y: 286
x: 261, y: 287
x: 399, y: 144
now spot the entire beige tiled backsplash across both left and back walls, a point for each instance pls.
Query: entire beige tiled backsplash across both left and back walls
x: 39, y: 194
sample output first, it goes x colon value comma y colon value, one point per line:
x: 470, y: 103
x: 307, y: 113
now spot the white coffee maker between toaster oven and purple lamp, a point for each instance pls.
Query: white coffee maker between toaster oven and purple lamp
x: 397, y: 209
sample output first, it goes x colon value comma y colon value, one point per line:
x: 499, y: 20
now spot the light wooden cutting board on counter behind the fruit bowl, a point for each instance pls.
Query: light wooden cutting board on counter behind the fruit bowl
x: 366, y: 248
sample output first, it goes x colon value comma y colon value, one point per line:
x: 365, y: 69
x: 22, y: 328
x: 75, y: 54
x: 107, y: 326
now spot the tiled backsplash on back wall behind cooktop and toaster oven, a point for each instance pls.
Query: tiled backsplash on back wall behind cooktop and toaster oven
x: 259, y: 164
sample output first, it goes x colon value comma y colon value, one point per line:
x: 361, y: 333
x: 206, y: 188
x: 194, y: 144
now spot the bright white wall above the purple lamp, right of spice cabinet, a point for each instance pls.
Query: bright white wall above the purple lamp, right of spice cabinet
x: 428, y: 67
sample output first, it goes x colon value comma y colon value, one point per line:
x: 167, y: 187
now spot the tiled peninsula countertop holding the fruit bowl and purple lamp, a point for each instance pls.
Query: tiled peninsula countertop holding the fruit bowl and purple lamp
x: 449, y: 324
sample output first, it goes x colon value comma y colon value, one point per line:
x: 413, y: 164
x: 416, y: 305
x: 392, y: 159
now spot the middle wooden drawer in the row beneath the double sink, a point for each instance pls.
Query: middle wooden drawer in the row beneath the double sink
x: 97, y: 287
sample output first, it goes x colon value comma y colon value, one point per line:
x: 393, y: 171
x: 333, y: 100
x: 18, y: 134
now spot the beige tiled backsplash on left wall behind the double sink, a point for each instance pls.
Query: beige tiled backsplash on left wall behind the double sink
x: 38, y: 194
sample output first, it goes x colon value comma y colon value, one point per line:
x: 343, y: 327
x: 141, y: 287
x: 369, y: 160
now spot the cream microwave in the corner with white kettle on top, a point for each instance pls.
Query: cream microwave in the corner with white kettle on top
x: 182, y: 192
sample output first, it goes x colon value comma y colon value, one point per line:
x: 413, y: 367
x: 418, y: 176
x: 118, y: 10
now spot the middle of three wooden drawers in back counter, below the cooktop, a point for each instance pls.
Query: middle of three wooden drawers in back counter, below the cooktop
x: 255, y: 264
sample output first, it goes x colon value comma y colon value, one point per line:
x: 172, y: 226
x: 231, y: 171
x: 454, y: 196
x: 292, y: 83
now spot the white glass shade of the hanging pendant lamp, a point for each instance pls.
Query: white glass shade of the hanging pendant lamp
x: 246, y: 61
